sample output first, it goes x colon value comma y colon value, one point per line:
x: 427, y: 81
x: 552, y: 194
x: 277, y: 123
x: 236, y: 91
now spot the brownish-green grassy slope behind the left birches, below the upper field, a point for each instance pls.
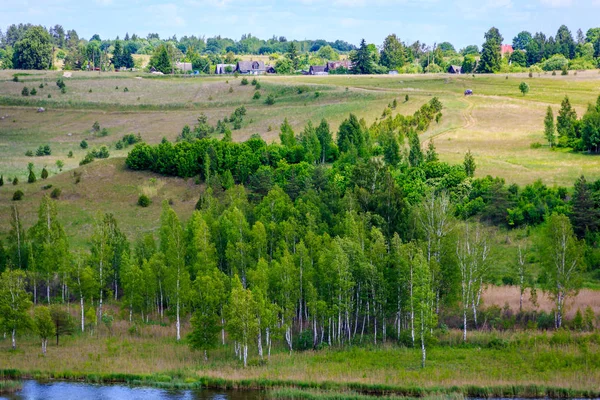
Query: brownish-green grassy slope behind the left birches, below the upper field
x: 106, y: 186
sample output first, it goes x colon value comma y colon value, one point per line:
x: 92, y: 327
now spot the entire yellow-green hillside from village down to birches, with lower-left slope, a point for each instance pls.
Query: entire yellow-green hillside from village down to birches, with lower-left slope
x: 497, y: 124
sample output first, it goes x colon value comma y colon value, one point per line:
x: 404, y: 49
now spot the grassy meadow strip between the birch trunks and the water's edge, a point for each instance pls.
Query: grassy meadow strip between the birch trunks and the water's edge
x: 567, y: 362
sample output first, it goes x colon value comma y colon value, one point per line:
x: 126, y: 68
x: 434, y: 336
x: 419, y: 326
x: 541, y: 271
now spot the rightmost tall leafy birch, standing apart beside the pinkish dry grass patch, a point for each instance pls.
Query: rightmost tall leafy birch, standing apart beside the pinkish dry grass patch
x: 562, y: 260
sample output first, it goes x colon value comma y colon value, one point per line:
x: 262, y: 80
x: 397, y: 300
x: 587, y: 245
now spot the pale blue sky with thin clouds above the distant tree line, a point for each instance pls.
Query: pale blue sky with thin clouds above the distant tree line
x: 461, y: 22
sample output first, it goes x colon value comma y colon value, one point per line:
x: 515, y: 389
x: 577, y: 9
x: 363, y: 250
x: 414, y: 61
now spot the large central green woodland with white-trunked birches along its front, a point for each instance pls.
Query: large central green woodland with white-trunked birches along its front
x: 314, y: 242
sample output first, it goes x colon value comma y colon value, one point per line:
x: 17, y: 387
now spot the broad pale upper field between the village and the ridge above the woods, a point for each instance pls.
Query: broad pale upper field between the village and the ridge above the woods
x: 498, y: 124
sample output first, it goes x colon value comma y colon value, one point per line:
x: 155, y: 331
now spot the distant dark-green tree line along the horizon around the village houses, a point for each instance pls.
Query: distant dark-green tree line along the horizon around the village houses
x: 25, y: 46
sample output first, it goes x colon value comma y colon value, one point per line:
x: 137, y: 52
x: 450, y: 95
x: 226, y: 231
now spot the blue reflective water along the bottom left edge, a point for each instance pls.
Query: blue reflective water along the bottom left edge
x: 33, y: 390
